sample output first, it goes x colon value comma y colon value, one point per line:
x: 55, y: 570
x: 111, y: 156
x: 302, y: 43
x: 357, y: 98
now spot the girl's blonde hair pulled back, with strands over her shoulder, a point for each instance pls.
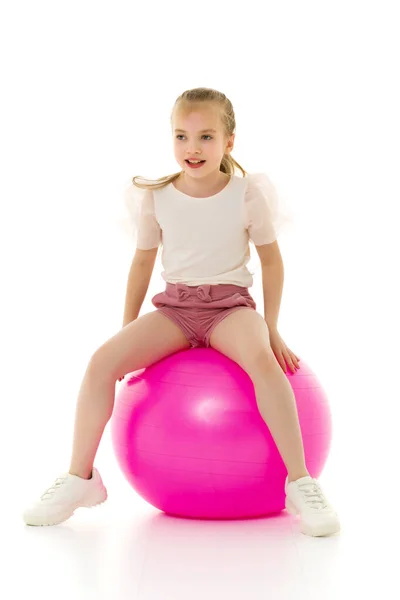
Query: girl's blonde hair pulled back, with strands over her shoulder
x: 184, y: 103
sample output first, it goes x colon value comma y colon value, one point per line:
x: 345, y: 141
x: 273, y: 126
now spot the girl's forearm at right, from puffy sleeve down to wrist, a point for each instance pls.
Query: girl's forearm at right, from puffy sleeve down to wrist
x: 272, y: 278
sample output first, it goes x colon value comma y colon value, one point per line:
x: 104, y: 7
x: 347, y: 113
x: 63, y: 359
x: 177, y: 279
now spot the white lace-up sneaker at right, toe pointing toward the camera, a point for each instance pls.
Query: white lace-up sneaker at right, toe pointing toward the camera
x: 304, y: 497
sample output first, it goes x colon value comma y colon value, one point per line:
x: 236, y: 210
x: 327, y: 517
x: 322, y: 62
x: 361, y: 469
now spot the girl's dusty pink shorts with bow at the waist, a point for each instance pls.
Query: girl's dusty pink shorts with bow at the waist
x: 198, y: 309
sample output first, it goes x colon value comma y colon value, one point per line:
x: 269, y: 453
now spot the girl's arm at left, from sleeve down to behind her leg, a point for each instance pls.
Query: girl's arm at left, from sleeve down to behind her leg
x: 138, y: 282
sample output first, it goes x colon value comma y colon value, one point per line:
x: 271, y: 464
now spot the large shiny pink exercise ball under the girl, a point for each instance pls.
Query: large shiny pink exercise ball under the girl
x: 189, y: 437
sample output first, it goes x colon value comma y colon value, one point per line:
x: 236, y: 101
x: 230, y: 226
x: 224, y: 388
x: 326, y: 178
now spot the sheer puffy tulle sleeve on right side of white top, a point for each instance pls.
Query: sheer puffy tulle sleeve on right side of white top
x: 266, y: 214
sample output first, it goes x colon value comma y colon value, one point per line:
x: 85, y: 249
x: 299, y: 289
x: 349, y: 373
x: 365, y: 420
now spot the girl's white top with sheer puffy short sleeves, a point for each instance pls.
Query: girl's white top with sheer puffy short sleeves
x: 206, y: 240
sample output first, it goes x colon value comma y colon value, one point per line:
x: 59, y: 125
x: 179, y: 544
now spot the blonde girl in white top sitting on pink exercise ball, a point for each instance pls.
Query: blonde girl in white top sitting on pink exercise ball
x: 204, y: 217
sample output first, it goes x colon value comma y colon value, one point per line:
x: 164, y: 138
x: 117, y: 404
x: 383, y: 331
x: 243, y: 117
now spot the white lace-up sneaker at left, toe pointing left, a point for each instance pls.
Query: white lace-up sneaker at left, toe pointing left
x: 67, y: 493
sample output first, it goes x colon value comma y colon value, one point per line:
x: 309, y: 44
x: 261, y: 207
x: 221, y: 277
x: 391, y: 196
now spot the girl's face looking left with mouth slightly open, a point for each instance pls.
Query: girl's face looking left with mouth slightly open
x: 193, y: 142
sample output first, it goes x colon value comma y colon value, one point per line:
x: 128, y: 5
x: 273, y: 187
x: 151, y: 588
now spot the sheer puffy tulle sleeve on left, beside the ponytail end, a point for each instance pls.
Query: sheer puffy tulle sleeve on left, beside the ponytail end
x: 138, y: 221
